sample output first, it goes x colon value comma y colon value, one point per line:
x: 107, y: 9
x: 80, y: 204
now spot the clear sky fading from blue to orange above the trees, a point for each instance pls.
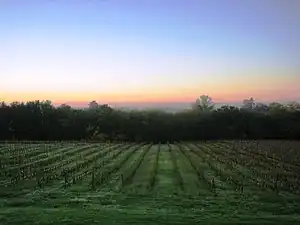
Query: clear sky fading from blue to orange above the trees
x: 149, y: 51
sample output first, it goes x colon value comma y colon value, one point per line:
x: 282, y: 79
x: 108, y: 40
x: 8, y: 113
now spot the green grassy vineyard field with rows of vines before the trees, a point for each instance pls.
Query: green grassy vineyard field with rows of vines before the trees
x: 224, y: 182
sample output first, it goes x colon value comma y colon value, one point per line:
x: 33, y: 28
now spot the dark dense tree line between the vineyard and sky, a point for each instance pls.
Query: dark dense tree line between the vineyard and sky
x: 40, y: 120
